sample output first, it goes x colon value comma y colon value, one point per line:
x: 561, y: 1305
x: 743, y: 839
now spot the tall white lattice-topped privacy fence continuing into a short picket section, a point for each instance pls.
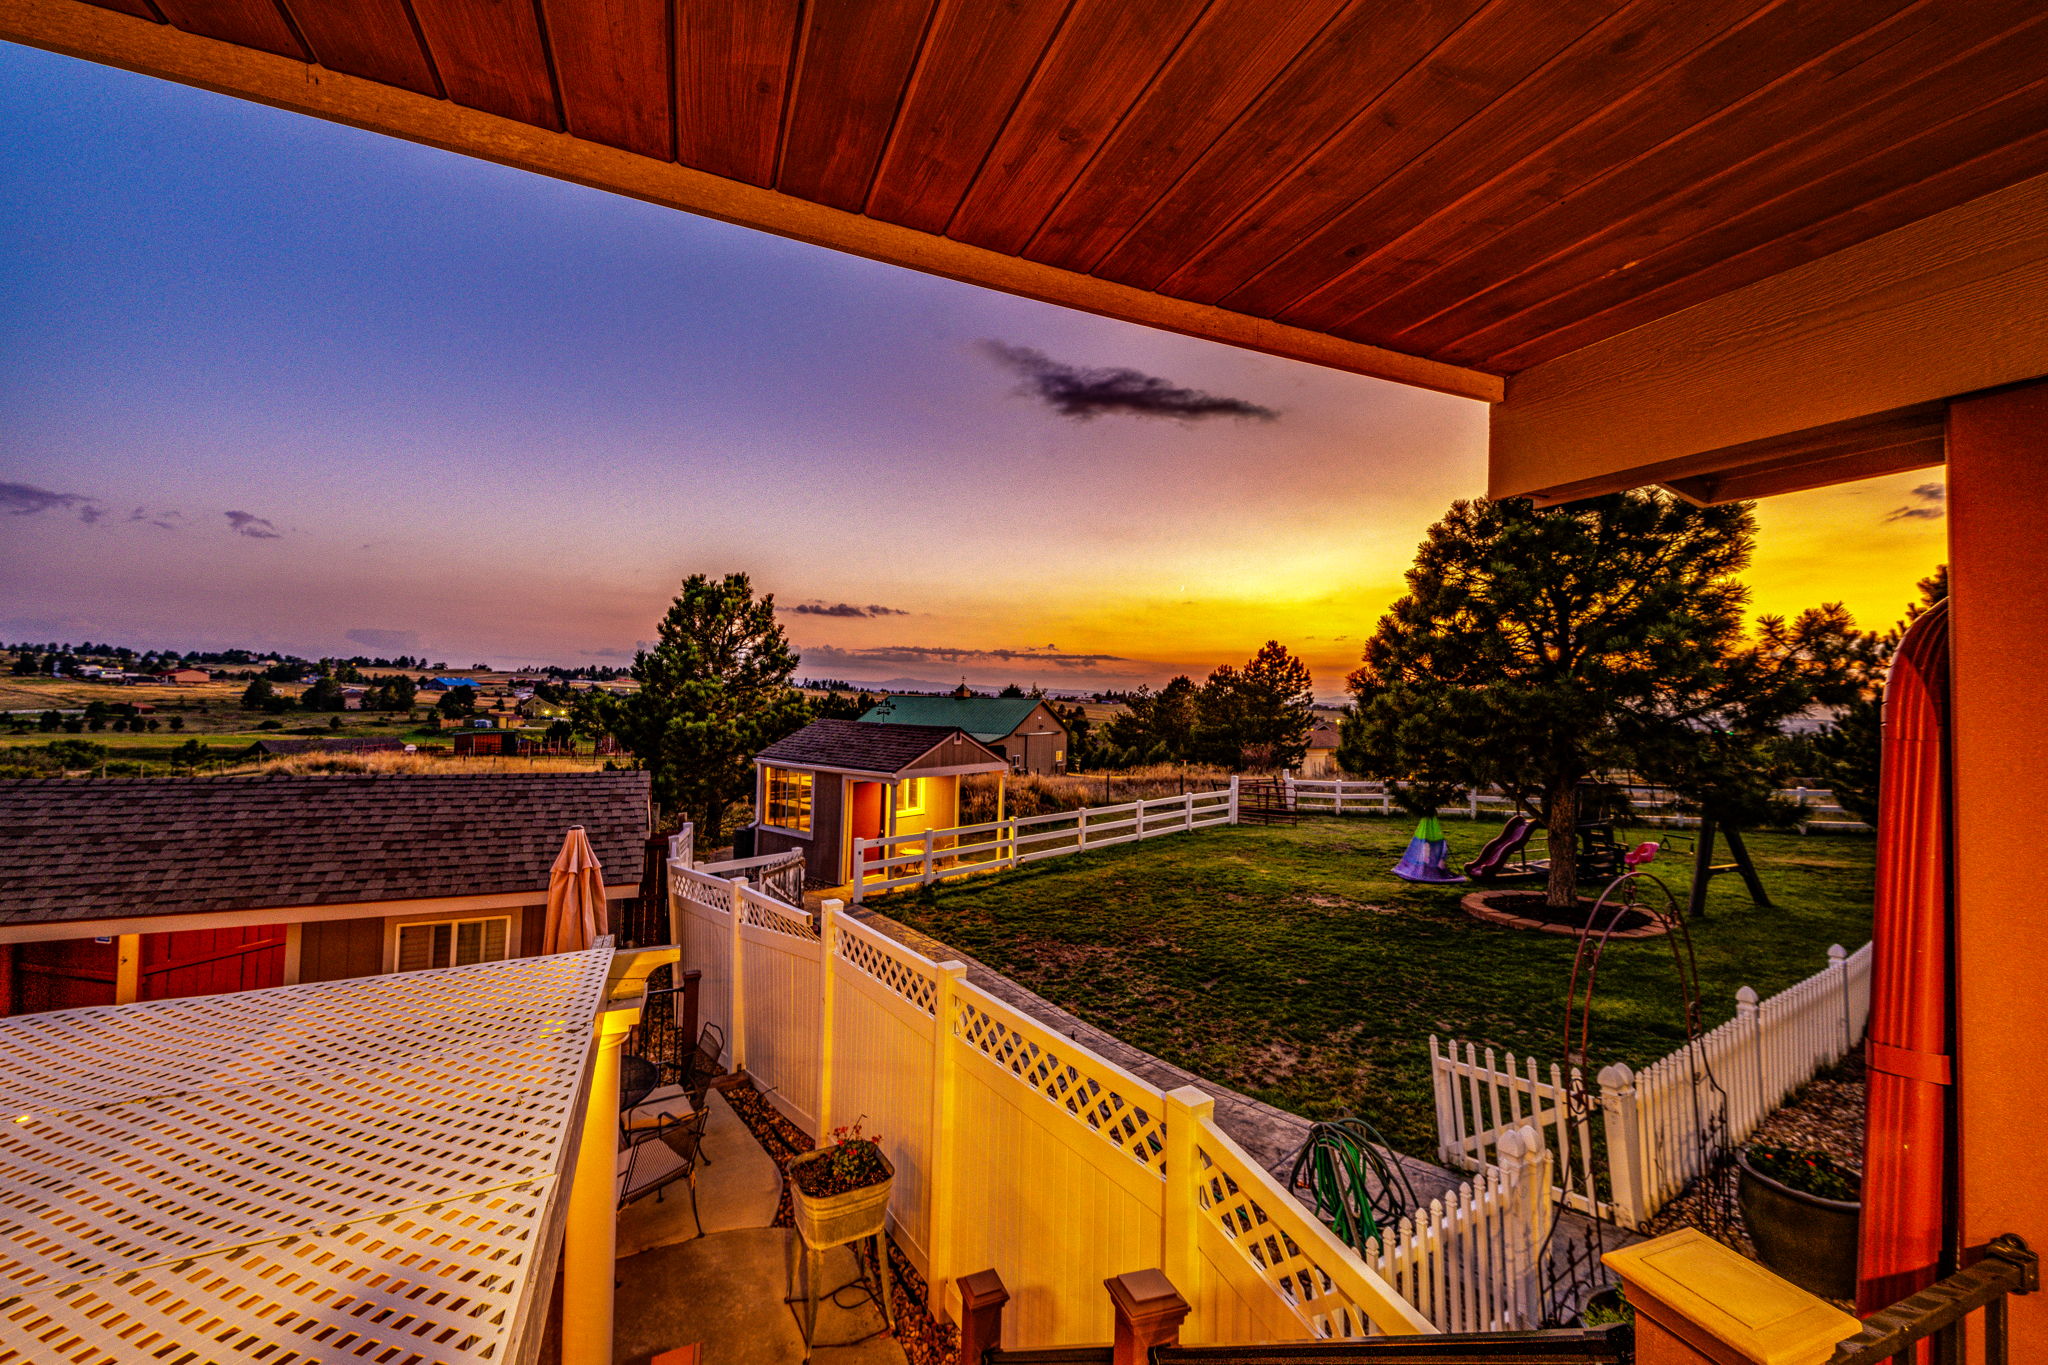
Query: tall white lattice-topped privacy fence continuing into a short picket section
x: 1023, y: 1151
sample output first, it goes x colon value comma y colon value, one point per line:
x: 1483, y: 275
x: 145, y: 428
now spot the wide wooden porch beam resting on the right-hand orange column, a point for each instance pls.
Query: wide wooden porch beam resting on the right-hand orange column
x: 1947, y: 306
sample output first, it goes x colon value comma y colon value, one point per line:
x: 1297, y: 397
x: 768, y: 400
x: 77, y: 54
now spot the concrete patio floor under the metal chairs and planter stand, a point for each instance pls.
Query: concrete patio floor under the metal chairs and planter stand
x: 724, y: 1290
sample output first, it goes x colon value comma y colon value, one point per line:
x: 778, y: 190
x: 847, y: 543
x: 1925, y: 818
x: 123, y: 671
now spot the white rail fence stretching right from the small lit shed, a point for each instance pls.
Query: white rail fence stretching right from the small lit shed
x: 964, y: 850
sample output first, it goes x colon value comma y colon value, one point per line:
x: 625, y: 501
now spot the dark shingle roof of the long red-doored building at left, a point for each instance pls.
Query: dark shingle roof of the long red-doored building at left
x: 81, y: 848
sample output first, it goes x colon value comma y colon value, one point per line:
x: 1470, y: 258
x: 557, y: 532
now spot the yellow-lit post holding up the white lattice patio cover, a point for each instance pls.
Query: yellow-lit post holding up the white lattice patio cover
x: 591, y: 1245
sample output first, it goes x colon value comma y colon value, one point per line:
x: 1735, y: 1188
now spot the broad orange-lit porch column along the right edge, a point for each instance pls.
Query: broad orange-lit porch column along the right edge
x: 1998, y: 531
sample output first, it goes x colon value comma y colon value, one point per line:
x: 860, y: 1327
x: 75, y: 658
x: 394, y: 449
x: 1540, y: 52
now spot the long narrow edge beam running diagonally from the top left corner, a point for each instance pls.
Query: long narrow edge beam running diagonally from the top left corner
x: 159, y: 50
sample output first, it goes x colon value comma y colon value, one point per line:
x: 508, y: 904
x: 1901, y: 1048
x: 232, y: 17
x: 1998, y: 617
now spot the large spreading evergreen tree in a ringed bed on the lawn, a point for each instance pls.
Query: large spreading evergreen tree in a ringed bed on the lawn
x: 1537, y: 650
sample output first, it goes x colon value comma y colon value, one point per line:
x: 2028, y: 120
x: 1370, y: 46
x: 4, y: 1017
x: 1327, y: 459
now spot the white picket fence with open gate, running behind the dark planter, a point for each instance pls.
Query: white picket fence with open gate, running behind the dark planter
x: 1660, y: 1127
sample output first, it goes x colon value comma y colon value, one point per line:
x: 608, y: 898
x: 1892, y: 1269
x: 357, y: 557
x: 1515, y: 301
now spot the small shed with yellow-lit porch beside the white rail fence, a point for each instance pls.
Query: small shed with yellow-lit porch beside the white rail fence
x: 843, y: 781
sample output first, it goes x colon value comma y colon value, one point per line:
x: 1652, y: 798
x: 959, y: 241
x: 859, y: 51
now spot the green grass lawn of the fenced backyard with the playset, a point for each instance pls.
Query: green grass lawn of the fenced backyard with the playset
x: 1291, y: 965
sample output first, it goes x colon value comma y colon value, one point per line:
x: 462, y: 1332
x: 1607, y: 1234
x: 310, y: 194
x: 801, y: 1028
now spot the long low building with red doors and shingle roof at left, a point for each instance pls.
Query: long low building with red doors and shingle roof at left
x: 167, y: 887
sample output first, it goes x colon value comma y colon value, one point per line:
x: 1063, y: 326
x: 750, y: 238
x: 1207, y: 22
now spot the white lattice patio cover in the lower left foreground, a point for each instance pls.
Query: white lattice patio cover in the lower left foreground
x: 345, y: 1172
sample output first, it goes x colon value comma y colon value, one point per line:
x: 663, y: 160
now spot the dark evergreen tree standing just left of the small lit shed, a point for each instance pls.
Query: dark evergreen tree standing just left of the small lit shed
x: 714, y: 691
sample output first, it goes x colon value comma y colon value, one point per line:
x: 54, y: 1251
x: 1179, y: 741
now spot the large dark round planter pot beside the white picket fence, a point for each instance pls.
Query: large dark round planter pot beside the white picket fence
x: 1803, y: 1210
